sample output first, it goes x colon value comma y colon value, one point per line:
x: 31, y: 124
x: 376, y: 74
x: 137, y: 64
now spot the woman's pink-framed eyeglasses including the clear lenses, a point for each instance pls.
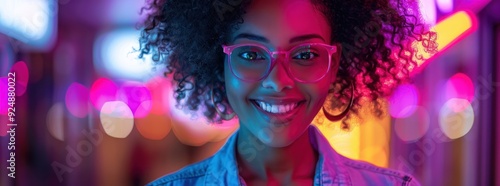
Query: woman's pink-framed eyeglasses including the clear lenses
x: 306, y: 63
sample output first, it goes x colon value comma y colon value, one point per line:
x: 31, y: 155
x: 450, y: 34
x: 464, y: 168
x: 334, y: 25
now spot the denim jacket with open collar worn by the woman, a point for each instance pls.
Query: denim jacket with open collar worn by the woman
x: 331, y: 169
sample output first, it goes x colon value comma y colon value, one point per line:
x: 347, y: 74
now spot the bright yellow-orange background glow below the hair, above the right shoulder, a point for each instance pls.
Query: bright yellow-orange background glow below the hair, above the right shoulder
x: 368, y: 141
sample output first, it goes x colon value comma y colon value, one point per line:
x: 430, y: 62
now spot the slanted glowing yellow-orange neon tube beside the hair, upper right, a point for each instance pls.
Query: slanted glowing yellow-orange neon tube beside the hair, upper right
x: 449, y: 31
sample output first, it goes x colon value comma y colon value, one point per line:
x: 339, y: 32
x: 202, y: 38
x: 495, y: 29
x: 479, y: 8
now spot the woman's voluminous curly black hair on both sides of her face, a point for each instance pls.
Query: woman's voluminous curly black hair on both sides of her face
x: 377, y: 38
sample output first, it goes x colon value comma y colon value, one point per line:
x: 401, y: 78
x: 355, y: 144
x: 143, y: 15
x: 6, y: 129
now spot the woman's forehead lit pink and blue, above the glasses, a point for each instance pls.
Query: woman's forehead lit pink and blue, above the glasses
x: 281, y: 20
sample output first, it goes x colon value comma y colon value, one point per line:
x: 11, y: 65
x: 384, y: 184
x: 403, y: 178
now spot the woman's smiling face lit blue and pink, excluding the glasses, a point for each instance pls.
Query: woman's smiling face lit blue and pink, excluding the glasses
x: 279, y: 25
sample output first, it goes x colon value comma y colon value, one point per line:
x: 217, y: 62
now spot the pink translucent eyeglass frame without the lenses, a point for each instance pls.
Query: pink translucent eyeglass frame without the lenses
x: 330, y: 48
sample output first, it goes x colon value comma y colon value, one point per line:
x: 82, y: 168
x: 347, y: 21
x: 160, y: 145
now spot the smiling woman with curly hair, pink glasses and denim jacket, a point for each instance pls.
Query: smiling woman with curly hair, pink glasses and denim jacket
x: 273, y: 64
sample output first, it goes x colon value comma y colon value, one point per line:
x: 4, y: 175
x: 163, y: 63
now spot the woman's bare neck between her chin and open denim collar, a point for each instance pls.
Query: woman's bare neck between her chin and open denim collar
x: 262, y: 163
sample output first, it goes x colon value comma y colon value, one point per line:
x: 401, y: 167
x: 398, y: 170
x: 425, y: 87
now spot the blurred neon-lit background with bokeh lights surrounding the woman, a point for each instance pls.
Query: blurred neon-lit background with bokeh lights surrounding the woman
x: 88, y: 112
